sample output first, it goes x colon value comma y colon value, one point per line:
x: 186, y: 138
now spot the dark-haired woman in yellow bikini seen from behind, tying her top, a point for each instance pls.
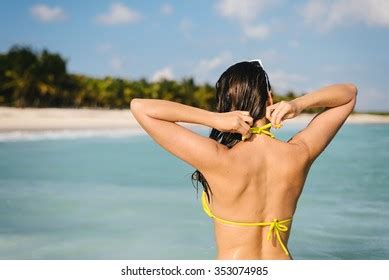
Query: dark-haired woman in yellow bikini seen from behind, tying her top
x: 251, y: 187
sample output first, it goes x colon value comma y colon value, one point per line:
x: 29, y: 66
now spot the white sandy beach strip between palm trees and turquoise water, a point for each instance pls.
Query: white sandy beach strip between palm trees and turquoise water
x: 33, y: 119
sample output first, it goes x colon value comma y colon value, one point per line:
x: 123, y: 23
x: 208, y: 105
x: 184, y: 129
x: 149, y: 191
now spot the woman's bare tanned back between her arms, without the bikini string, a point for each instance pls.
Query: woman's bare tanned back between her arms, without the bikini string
x: 262, y: 182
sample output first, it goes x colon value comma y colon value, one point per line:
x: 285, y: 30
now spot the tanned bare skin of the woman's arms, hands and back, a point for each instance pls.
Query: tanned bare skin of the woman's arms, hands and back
x: 259, y: 179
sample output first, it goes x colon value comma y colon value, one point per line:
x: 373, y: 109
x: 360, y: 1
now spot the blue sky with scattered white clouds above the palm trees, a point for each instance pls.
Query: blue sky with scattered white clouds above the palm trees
x: 304, y: 44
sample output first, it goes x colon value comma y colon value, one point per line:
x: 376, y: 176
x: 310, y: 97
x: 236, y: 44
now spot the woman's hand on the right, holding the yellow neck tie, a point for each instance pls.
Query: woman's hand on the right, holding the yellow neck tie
x: 282, y: 110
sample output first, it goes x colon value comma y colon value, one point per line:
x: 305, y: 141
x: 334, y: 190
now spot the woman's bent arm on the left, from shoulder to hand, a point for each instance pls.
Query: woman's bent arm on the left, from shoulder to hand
x: 158, y: 118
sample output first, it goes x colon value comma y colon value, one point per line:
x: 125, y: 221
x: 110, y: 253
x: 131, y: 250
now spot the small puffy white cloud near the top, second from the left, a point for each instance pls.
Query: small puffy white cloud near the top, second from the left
x: 119, y: 14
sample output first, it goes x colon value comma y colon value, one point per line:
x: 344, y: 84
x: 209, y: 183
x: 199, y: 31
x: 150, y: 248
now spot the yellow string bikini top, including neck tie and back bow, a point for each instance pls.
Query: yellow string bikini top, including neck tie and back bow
x: 275, y: 226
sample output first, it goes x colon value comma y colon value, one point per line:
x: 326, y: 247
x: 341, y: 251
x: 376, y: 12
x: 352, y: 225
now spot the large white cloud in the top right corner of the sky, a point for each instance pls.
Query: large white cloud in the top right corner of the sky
x: 327, y: 14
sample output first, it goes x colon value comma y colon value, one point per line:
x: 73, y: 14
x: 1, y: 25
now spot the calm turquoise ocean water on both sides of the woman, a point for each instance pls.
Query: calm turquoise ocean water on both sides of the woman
x: 117, y: 195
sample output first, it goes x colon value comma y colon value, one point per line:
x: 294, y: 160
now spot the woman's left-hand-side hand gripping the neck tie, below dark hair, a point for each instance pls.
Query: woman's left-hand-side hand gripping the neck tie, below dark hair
x: 235, y: 122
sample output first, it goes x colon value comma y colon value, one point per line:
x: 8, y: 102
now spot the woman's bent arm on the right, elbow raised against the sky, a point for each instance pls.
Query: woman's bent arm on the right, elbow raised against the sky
x: 339, y: 101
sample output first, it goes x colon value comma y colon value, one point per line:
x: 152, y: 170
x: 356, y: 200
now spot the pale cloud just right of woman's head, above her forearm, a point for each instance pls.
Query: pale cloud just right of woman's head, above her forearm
x: 282, y: 81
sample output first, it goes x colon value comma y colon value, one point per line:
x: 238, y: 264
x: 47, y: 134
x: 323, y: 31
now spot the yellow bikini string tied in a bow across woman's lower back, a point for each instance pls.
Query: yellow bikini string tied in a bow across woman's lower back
x: 274, y: 227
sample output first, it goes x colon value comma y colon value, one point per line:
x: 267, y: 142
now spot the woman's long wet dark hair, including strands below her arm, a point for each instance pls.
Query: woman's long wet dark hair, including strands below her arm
x: 243, y: 86
